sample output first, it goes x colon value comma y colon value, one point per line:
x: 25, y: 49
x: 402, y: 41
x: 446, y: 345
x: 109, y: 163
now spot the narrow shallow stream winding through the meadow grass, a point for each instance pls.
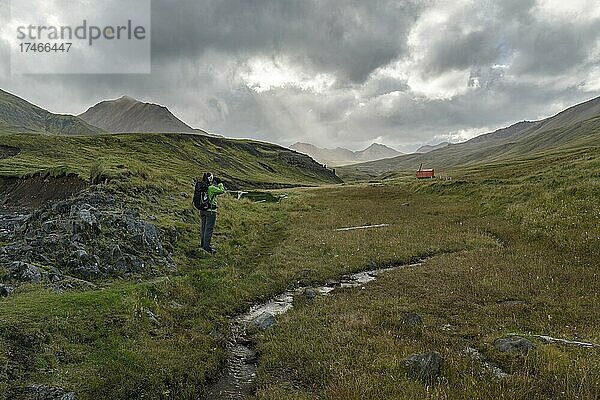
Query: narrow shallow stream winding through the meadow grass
x: 237, y: 380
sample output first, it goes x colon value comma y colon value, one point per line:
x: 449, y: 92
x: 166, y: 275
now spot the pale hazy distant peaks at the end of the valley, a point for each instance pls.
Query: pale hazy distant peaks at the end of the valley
x: 341, y: 156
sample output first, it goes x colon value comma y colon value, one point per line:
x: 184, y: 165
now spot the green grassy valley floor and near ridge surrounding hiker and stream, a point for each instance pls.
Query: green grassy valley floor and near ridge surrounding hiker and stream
x: 524, y: 231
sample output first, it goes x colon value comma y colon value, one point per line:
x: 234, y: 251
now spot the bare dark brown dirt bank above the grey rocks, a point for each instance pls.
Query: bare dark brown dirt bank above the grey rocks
x: 28, y: 193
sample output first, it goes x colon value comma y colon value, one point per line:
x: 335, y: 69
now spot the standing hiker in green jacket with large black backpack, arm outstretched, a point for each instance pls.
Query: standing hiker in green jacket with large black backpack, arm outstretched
x: 208, y: 191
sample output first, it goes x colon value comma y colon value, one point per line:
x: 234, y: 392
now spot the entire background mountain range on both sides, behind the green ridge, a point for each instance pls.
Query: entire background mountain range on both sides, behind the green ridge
x: 576, y: 126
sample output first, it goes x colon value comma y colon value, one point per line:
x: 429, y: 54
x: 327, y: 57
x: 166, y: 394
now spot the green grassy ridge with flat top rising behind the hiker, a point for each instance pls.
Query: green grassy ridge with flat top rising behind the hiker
x: 165, y: 160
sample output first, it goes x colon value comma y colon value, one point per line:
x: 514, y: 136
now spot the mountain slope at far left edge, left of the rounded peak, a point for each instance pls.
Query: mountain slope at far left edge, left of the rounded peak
x: 18, y: 115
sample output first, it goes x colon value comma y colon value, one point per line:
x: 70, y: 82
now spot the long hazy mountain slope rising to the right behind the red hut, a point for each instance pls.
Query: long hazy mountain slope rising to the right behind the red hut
x: 576, y: 127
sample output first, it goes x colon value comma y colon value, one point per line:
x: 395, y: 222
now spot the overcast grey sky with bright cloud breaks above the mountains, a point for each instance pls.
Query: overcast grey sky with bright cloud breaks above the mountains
x: 349, y: 72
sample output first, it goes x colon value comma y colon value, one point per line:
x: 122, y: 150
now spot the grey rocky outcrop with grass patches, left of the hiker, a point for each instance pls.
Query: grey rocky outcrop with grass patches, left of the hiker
x: 87, y: 237
